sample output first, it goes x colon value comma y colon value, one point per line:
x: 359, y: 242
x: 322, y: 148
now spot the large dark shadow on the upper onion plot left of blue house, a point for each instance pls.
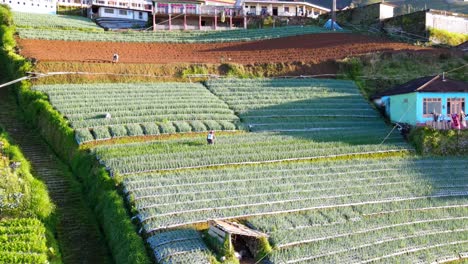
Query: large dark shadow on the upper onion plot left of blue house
x: 347, y: 118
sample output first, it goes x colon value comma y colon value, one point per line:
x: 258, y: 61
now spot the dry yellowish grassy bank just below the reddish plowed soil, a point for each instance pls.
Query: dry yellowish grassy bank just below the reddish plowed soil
x: 130, y: 73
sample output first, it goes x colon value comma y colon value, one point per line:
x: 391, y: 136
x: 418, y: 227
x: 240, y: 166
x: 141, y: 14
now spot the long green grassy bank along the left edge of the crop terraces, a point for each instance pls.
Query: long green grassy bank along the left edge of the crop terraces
x: 125, y: 244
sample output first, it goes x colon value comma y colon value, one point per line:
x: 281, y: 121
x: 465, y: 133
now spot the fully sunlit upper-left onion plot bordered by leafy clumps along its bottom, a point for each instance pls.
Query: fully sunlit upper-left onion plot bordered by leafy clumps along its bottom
x: 102, y: 111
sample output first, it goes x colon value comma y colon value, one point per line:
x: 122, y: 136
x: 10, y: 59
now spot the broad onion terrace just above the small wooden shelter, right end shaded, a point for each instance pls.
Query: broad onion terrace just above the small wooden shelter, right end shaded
x: 194, y: 196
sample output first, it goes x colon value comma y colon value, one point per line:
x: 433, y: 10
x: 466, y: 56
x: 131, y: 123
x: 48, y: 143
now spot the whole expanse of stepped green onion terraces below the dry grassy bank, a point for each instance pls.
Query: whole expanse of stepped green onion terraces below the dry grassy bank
x: 310, y: 172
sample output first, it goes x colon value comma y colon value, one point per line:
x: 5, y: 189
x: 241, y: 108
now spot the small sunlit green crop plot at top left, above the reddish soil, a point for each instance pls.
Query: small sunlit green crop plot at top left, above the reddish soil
x: 33, y: 22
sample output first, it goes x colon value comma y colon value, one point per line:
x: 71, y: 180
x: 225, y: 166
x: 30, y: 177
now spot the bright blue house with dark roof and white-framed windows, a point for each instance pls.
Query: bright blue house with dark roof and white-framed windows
x: 416, y: 101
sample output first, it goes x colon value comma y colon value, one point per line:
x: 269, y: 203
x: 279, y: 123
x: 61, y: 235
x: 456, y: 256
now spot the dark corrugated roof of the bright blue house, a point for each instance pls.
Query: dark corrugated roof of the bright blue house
x: 425, y: 85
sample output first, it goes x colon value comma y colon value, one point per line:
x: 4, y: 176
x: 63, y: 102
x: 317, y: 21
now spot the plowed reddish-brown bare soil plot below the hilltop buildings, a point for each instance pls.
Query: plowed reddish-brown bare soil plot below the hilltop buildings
x: 313, y: 48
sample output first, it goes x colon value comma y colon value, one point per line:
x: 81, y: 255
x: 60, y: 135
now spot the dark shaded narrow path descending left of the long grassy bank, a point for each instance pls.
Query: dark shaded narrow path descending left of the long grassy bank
x: 77, y: 230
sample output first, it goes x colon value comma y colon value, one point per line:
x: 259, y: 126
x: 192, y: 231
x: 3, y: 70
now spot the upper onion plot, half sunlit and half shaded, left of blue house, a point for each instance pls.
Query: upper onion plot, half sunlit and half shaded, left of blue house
x: 297, y: 104
